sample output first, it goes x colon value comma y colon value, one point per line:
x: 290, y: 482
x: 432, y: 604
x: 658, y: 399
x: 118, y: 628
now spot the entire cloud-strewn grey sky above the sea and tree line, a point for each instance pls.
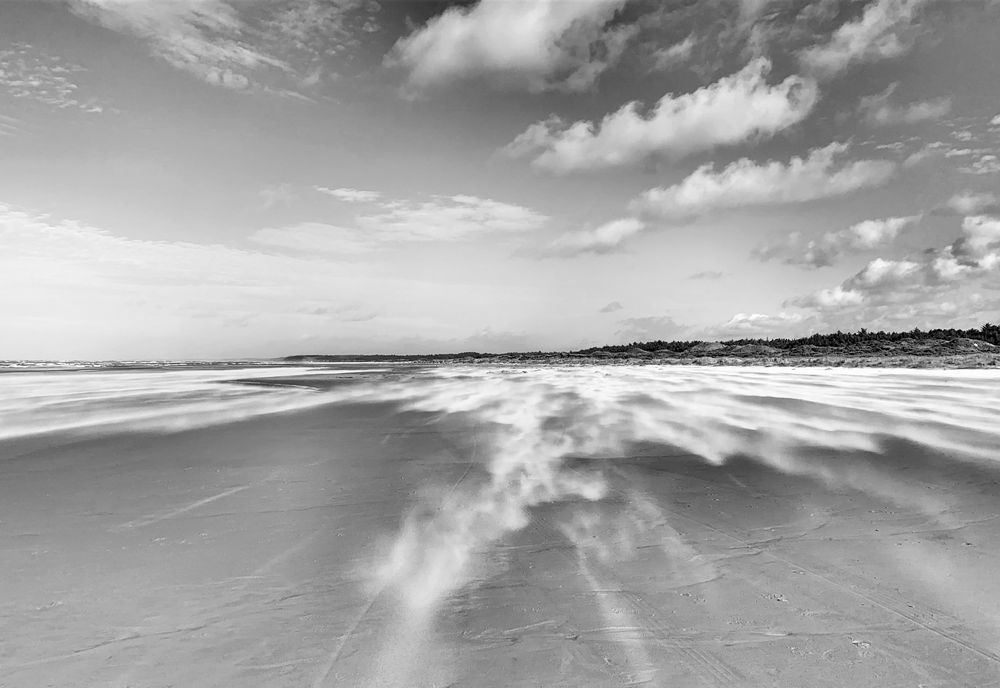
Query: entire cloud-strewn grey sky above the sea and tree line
x: 204, y: 179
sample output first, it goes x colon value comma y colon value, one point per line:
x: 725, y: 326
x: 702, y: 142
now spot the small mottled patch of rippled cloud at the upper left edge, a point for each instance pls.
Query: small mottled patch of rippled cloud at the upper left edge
x: 29, y: 74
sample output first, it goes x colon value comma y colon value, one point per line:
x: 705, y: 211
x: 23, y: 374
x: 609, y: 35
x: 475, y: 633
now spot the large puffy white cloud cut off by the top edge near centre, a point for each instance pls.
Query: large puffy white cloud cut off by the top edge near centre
x: 538, y: 46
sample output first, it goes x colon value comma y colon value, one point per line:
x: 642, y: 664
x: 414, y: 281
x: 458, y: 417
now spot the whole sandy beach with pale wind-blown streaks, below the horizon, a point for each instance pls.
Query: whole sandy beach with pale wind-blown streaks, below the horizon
x: 508, y: 527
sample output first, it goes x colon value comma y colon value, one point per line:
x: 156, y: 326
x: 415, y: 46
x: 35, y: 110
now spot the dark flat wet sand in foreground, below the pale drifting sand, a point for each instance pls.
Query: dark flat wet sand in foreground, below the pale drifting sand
x: 246, y: 554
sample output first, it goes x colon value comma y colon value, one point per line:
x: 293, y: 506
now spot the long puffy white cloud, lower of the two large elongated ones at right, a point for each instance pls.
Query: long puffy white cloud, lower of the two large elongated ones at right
x: 746, y: 183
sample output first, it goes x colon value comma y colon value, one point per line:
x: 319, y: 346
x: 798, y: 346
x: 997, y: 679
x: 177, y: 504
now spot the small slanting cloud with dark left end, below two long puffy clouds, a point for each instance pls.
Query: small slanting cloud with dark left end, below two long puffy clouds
x: 829, y: 248
